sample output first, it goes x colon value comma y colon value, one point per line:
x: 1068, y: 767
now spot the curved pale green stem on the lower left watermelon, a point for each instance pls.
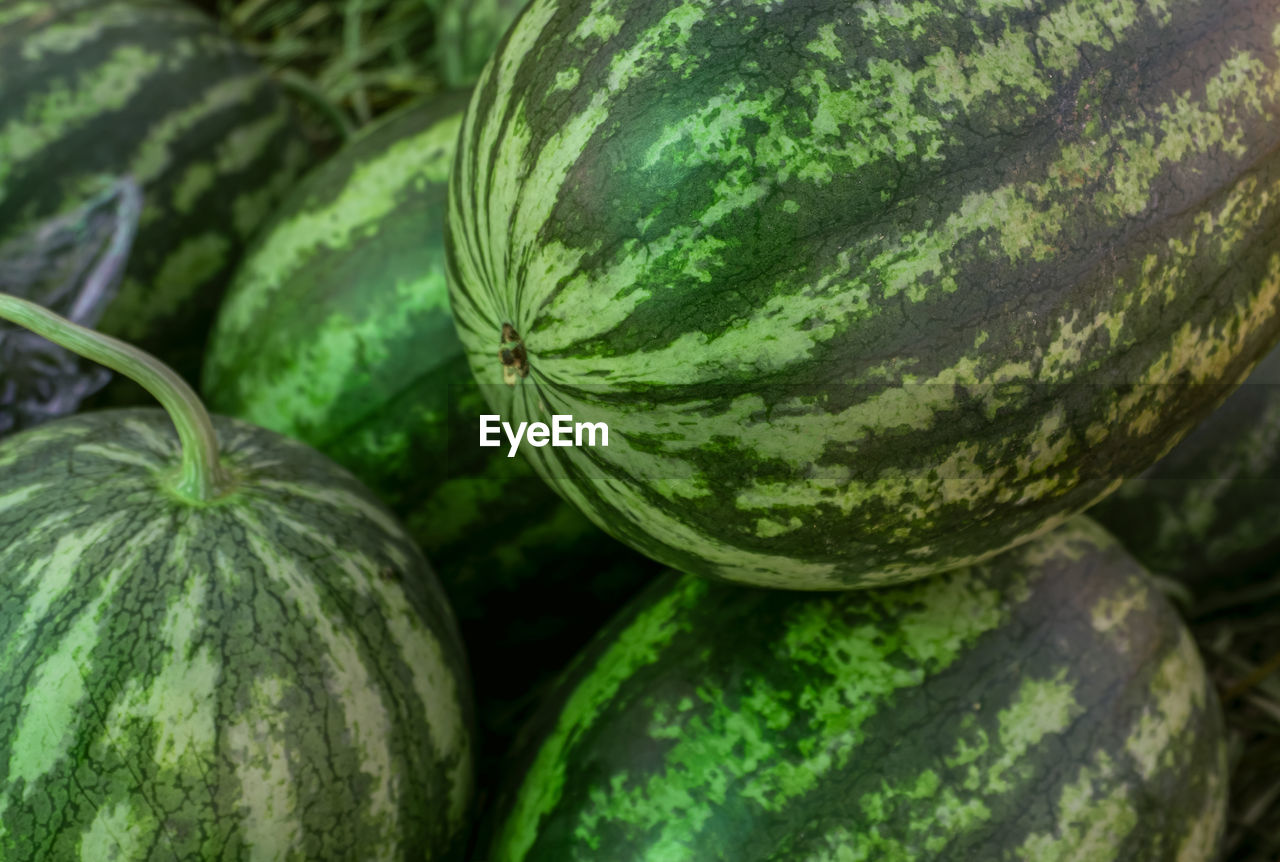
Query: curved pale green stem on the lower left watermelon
x: 202, y: 477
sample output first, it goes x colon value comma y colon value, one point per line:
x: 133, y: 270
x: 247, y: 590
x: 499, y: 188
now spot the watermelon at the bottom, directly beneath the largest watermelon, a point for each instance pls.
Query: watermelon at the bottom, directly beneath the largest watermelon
x: 1044, y: 705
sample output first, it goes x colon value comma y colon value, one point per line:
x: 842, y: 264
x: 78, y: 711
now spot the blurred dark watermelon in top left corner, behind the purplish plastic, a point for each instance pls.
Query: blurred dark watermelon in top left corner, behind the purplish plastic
x: 154, y: 90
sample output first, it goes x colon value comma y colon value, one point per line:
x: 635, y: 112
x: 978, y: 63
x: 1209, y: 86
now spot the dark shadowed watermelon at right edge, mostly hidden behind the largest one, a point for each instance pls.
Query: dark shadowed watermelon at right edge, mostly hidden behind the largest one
x: 1209, y: 513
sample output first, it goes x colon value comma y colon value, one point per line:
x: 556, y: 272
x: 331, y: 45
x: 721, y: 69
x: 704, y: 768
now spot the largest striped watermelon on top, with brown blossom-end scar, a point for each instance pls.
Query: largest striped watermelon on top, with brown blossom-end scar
x: 866, y: 291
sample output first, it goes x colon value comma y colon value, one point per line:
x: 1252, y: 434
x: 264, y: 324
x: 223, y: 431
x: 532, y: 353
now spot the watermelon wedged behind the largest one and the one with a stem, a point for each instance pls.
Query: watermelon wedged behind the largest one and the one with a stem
x: 337, y: 332
